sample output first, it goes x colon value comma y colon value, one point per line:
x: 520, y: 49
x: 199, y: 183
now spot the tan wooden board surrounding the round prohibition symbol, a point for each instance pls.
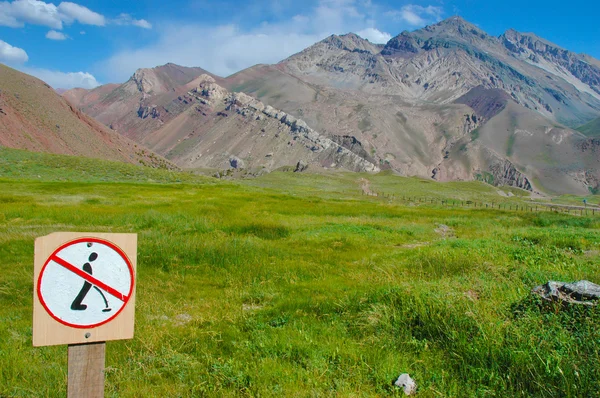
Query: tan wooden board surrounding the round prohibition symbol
x: 47, y: 330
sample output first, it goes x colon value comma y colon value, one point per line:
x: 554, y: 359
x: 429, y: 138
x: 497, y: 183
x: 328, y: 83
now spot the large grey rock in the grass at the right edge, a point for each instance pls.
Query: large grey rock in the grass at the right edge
x: 581, y: 292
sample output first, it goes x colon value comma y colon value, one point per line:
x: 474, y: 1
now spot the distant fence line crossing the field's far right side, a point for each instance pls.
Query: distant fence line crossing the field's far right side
x: 507, y: 206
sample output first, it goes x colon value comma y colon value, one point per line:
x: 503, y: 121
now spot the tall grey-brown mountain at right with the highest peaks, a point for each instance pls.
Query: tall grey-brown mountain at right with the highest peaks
x: 406, y: 91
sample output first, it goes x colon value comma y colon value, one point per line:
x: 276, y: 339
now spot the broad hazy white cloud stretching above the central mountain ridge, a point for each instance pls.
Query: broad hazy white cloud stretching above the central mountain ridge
x: 226, y: 49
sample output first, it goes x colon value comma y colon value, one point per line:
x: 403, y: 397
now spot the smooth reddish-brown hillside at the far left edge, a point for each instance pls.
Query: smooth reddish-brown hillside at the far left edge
x: 34, y: 117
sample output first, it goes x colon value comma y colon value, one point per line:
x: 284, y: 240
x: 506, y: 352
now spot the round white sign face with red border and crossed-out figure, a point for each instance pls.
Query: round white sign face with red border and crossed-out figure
x: 85, y: 283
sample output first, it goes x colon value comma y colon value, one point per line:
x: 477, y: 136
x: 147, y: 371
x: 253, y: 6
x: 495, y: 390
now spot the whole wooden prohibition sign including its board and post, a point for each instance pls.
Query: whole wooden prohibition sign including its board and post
x: 83, y: 296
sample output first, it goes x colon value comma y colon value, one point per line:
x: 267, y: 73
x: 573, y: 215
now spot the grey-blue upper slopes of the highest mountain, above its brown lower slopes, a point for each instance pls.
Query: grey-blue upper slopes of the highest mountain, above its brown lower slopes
x: 442, y: 62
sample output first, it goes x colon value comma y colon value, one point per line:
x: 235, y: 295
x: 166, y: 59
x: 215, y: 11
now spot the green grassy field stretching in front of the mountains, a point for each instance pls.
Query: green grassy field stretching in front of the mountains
x: 297, y: 285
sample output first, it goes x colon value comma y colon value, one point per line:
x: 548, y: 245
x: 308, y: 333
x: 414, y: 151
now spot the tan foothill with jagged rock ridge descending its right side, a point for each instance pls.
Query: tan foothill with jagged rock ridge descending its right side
x: 224, y: 130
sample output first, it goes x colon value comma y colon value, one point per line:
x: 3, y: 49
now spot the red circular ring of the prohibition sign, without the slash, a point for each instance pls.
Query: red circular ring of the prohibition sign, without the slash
x: 87, y: 240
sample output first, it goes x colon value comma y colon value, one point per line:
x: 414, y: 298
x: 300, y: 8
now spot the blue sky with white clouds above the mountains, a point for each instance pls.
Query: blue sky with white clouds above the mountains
x: 91, y: 42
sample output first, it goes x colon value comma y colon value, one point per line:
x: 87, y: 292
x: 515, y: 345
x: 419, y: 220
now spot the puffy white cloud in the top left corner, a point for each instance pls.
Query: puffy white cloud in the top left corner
x: 15, y: 14
